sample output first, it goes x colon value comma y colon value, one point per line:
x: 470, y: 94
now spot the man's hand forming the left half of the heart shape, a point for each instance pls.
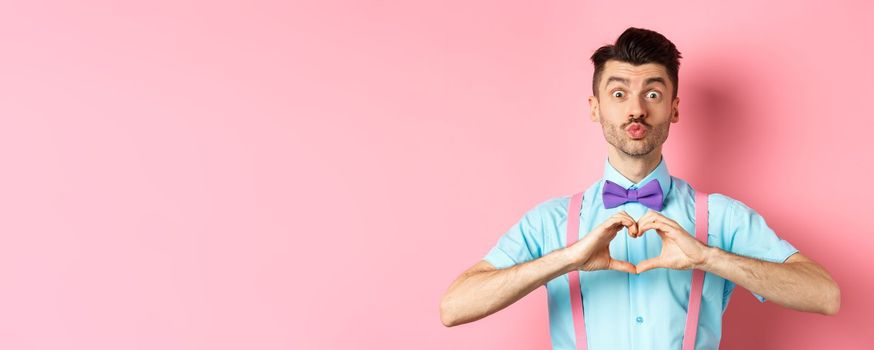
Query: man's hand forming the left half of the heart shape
x: 593, y: 251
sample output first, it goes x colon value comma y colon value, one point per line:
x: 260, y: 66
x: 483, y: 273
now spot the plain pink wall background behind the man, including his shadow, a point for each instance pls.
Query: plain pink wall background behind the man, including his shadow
x: 242, y: 175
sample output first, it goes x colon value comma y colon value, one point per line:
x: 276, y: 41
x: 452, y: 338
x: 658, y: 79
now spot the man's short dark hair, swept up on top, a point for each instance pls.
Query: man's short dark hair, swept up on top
x: 638, y: 46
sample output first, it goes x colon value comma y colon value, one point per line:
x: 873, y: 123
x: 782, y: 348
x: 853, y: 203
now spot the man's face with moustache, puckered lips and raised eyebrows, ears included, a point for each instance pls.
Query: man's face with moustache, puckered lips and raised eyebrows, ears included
x: 635, y: 106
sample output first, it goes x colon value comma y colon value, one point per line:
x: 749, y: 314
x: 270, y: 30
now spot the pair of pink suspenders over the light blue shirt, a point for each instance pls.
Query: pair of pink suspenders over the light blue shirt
x: 573, y: 229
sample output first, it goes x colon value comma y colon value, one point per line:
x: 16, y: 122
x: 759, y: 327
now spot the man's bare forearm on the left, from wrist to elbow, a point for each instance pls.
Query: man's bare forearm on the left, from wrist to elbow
x: 477, y: 295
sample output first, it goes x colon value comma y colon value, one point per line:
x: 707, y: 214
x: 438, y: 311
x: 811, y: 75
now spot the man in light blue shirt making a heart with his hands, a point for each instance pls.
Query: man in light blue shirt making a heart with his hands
x: 636, y: 262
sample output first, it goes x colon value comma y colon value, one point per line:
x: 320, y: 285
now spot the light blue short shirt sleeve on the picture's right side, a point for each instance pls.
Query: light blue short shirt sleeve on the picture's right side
x: 752, y: 237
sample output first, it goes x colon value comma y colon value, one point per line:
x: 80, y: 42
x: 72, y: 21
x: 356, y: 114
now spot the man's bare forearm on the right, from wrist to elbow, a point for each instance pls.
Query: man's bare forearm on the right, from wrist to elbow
x: 802, y: 286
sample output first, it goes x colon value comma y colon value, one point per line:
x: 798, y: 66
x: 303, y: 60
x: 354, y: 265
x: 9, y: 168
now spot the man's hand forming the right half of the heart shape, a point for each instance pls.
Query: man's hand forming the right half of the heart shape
x: 680, y: 250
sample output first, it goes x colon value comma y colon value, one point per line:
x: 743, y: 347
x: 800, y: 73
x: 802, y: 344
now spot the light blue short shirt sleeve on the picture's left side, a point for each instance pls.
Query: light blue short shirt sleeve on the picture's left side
x: 521, y: 243
